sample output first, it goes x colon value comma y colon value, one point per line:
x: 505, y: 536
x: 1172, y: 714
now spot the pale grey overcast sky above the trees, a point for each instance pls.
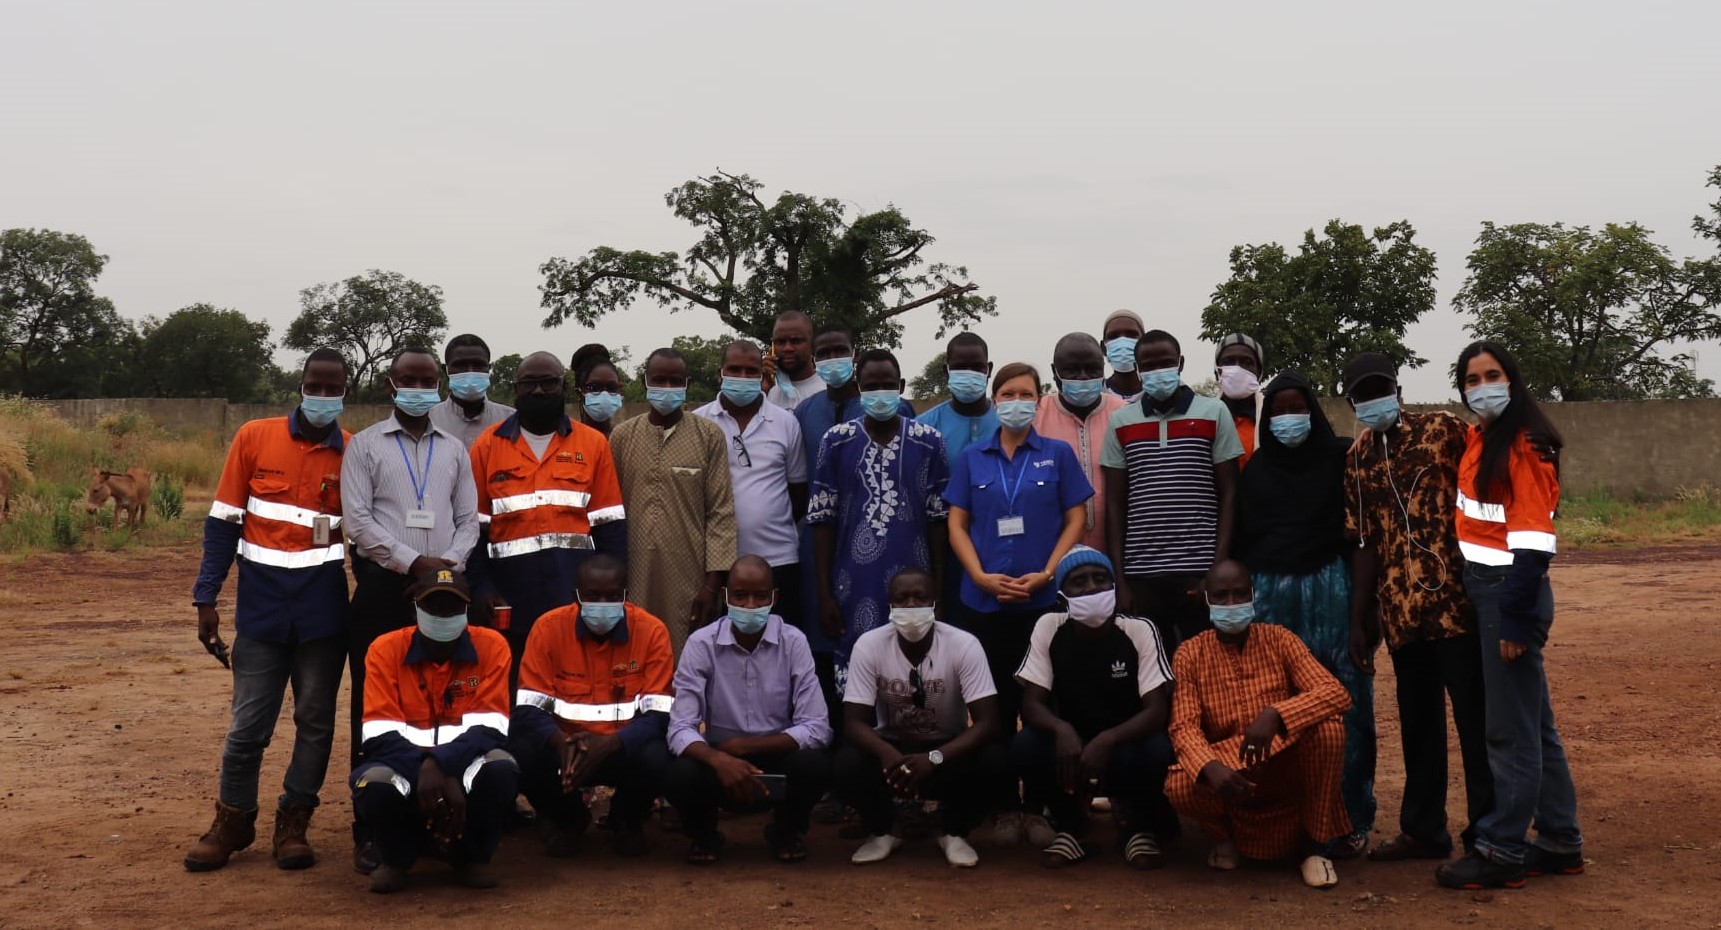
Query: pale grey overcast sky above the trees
x: 1075, y: 158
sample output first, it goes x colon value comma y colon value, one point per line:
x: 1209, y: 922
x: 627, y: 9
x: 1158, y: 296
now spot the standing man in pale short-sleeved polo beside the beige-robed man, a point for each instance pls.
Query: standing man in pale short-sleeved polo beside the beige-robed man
x: 768, y: 471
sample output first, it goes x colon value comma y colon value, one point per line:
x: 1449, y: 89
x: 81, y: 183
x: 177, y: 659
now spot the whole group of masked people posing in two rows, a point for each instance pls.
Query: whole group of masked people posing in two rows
x: 1020, y: 605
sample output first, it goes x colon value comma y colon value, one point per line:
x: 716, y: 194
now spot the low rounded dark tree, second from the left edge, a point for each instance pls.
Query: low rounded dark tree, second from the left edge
x: 207, y: 352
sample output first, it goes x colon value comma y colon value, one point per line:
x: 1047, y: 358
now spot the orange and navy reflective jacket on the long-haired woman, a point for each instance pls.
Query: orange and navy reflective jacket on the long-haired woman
x: 1505, y: 519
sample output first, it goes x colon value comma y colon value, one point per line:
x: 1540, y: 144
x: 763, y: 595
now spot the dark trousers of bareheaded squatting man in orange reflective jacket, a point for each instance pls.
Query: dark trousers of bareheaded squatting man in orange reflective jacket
x: 636, y: 776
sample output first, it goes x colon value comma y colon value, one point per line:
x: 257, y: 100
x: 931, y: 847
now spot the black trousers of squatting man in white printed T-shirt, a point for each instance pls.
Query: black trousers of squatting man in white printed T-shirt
x: 963, y: 788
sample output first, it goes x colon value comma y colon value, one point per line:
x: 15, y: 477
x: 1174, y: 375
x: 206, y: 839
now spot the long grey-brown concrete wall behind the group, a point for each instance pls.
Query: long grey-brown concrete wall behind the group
x: 1651, y: 449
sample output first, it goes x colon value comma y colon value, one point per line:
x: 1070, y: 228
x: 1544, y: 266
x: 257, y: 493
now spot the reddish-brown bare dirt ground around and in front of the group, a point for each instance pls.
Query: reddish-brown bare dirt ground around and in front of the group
x: 113, y: 719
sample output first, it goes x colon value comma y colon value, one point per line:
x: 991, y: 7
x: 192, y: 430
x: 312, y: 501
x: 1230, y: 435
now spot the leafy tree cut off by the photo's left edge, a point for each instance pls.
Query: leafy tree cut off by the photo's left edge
x: 49, y: 309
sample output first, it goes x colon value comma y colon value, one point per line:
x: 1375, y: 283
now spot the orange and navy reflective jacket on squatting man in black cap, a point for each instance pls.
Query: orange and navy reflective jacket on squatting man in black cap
x: 455, y: 712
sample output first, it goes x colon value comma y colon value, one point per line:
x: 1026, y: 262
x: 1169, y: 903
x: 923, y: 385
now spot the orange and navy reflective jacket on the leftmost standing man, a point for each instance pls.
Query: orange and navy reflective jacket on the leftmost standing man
x: 276, y: 492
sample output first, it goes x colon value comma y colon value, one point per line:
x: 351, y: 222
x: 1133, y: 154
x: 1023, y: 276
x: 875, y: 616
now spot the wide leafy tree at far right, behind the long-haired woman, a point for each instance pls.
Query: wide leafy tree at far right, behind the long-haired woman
x: 1596, y: 314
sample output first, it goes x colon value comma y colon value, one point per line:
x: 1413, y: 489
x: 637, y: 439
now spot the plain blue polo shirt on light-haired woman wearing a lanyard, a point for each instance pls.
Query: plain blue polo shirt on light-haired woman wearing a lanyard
x: 1039, y: 485
